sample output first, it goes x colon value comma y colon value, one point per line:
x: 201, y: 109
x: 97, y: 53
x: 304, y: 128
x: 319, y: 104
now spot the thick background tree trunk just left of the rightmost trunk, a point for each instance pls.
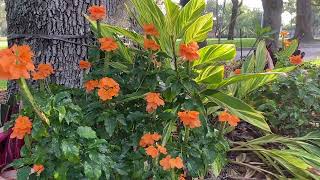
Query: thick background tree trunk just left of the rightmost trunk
x: 272, y: 18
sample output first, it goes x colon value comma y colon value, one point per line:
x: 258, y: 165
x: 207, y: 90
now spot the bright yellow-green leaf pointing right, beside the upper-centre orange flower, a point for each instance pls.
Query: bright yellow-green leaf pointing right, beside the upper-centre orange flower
x: 213, y: 53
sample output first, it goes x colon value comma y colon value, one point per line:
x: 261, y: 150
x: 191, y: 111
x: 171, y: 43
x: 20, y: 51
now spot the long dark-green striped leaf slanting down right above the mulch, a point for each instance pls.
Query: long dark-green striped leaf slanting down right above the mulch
x: 238, y: 108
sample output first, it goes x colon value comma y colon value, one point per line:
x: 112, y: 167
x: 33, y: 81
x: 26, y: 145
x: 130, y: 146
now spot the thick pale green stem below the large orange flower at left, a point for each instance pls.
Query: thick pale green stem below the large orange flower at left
x: 26, y: 92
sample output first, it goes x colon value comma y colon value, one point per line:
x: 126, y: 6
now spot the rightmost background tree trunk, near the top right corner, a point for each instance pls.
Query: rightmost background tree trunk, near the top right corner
x: 304, y: 20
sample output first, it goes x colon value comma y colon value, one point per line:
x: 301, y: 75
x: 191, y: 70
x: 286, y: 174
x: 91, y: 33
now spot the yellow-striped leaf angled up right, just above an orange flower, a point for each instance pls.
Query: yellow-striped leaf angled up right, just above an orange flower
x: 198, y: 31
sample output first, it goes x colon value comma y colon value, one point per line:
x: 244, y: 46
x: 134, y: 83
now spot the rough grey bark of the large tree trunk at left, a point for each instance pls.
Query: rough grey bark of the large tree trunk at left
x: 57, y: 18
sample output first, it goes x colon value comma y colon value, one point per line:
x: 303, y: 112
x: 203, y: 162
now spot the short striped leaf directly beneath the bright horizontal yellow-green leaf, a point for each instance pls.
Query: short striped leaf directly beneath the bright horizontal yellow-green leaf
x: 211, y: 75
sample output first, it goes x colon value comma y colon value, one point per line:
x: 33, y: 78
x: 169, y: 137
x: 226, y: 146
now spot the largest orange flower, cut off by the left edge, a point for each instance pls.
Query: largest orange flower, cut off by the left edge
x: 16, y: 62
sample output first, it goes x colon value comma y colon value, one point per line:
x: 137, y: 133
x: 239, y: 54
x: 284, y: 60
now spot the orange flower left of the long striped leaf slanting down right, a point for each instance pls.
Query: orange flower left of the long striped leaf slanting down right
x: 190, y: 118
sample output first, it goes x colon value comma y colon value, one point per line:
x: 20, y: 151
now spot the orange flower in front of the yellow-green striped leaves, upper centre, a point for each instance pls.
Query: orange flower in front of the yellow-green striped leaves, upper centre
x: 189, y: 51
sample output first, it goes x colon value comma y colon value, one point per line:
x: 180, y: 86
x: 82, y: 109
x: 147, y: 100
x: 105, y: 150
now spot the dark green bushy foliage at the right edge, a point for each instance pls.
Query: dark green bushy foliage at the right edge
x: 291, y: 104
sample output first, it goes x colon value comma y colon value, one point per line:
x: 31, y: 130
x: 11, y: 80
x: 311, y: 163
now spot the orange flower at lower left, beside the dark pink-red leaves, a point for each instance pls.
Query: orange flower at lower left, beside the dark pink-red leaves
x: 22, y: 126
